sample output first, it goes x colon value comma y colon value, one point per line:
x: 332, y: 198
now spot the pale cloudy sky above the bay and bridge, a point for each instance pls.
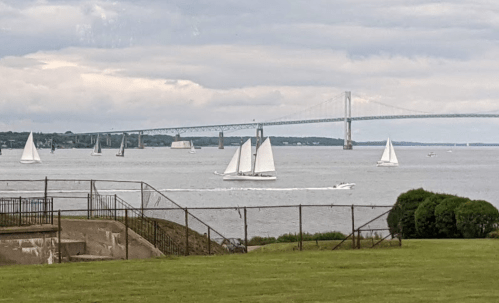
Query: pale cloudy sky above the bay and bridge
x: 86, y: 66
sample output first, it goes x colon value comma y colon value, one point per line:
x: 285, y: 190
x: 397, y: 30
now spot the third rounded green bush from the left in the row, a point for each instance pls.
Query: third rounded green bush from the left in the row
x: 446, y: 217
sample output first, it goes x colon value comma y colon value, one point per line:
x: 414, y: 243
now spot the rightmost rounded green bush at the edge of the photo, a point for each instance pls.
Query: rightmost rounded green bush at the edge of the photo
x: 475, y: 219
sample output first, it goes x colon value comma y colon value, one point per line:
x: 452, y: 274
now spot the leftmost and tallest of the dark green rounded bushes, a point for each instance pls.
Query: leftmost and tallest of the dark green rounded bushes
x: 401, y: 216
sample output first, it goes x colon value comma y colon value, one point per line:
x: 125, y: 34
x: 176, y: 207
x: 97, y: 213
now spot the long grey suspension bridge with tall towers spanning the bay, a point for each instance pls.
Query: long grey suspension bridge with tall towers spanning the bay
x: 336, y: 109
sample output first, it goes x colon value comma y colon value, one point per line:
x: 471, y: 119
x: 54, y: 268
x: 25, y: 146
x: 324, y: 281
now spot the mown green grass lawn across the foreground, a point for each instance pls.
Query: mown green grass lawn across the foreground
x: 420, y: 271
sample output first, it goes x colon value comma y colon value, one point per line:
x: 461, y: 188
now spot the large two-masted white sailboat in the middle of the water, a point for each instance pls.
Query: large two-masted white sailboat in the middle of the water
x: 240, y: 168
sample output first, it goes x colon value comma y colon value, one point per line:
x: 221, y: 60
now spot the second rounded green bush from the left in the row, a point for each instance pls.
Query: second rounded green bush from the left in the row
x: 424, y: 216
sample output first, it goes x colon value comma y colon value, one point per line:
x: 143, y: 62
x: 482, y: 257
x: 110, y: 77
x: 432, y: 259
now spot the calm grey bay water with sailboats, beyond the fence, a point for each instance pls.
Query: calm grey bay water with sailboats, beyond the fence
x: 304, y: 175
